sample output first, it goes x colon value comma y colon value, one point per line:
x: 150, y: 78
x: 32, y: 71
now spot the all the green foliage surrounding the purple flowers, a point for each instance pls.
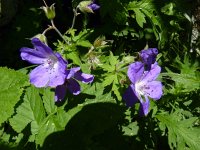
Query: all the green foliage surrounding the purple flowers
x: 104, y: 44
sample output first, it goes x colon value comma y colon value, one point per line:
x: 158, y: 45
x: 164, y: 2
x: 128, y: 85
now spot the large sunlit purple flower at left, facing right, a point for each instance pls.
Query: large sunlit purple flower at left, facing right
x: 51, y: 71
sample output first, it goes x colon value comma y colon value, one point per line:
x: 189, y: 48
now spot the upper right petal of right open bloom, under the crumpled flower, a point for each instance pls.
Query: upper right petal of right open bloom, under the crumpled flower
x: 152, y: 74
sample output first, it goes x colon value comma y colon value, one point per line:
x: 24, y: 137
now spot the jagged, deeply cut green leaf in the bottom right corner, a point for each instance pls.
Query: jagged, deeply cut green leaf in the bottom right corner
x: 181, y: 133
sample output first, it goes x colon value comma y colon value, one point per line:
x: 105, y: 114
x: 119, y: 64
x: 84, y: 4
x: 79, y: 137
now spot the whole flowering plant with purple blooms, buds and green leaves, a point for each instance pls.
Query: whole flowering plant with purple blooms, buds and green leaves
x: 130, y: 82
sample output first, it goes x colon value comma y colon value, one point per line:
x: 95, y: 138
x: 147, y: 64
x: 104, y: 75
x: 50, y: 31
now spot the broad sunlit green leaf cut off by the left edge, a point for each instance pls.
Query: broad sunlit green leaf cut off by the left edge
x: 11, y: 83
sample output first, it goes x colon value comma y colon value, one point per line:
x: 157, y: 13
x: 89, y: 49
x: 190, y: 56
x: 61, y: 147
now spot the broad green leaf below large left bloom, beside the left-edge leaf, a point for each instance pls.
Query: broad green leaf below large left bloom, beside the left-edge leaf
x: 30, y: 111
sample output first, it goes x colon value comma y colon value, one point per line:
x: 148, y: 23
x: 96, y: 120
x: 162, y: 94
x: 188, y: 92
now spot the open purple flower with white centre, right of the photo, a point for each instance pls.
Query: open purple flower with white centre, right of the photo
x: 143, y: 85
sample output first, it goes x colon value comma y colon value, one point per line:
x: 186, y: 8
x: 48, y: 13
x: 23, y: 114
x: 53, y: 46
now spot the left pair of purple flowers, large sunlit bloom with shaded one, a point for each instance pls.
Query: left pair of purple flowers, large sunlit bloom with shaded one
x: 52, y: 70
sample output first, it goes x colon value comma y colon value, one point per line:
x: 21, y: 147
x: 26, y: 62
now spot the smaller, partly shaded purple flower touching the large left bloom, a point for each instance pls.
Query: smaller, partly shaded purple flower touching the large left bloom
x: 71, y: 83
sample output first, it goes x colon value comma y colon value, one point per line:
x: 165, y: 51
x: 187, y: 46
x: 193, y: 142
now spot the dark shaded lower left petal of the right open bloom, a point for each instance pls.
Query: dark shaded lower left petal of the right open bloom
x: 130, y: 97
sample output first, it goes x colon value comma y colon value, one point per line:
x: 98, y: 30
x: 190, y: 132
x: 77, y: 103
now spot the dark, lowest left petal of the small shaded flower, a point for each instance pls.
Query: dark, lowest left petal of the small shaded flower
x: 60, y: 92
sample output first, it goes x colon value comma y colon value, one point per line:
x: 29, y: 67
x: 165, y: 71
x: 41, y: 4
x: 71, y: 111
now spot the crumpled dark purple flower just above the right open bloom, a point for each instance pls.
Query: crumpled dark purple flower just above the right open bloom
x: 148, y: 57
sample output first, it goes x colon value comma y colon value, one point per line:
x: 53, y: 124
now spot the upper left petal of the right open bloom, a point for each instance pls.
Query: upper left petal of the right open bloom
x: 135, y: 71
